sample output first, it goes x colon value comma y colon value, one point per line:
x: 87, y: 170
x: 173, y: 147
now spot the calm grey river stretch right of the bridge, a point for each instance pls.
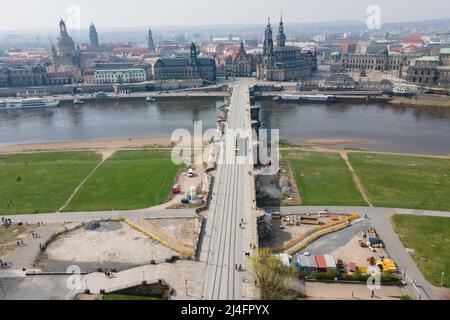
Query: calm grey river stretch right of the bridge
x: 373, y: 127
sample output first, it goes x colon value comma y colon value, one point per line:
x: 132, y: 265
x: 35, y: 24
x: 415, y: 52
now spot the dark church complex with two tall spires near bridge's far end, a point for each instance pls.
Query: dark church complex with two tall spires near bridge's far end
x: 284, y: 63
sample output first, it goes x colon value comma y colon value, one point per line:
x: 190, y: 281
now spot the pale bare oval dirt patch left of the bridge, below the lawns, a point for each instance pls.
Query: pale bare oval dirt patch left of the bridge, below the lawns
x: 112, y: 245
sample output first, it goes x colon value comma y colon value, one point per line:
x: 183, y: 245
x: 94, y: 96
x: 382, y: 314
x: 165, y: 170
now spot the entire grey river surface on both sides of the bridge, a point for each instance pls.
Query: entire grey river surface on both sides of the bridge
x: 373, y: 127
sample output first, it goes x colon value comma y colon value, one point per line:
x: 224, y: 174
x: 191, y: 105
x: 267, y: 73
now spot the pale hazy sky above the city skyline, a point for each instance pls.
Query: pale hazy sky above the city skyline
x: 25, y: 14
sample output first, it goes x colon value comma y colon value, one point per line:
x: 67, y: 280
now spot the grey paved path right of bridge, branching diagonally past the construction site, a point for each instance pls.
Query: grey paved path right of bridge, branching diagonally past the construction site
x: 381, y: 220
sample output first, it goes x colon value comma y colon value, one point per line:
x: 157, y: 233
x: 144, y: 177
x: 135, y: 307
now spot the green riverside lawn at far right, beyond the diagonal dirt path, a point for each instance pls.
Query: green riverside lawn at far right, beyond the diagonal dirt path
x: 404, y: 181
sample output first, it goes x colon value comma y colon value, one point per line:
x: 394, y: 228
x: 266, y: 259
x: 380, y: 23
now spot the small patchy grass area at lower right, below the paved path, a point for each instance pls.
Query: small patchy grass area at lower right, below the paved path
x: 430, y: 238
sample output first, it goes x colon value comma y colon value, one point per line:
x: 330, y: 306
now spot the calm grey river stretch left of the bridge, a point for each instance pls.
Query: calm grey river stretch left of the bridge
x: 96, y: 121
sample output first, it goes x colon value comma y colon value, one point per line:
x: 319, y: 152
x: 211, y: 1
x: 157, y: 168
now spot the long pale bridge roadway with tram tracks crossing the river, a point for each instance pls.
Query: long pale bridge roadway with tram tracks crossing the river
x: 230, y: 204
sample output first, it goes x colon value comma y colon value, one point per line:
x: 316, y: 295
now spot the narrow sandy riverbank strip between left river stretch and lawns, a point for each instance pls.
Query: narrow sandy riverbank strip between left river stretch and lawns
x: 163, y: 142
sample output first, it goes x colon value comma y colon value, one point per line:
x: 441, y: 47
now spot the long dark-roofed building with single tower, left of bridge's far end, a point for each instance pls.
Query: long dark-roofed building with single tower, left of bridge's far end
x: 186, y: 68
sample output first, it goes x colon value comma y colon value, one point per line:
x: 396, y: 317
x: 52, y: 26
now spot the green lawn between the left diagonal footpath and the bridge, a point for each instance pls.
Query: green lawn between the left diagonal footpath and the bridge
x: 128, y: 180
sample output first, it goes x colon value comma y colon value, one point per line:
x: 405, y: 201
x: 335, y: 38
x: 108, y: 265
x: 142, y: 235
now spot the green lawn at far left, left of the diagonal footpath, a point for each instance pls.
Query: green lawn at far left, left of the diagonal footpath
x: 47, y: 179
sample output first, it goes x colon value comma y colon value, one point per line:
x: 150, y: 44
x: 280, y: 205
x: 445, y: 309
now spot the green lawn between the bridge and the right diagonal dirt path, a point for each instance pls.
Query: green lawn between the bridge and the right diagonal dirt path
x: 323, y: 179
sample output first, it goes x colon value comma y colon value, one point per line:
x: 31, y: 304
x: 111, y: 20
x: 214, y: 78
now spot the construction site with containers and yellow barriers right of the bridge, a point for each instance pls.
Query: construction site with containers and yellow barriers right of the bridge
x: 327, y: 246
